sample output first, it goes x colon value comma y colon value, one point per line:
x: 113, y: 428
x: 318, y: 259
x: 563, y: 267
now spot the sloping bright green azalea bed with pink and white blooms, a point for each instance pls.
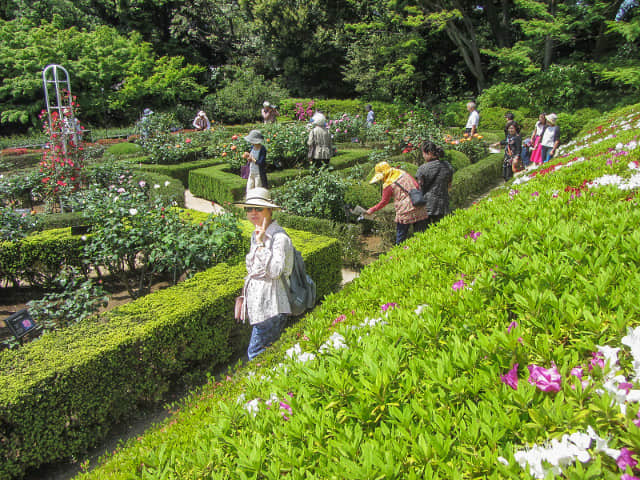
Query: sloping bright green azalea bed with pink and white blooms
x: 455, y: 355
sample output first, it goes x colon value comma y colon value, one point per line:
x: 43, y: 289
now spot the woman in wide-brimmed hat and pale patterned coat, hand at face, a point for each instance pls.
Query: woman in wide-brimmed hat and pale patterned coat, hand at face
x: 269, y: 265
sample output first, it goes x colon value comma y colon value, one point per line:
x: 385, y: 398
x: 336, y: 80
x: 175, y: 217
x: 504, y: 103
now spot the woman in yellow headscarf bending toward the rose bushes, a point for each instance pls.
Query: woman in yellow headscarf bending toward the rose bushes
x: 397, y: 183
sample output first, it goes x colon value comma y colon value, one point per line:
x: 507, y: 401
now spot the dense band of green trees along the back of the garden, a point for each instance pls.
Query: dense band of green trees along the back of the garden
x: 229, y: 57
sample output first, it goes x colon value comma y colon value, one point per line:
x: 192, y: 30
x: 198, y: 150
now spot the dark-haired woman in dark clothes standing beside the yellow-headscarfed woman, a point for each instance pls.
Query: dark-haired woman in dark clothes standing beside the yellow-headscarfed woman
x: 434, y: 177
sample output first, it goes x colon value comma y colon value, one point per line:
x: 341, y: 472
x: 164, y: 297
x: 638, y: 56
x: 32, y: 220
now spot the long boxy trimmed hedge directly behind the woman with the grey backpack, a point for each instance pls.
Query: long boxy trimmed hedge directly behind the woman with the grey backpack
x: 60, y: 394
